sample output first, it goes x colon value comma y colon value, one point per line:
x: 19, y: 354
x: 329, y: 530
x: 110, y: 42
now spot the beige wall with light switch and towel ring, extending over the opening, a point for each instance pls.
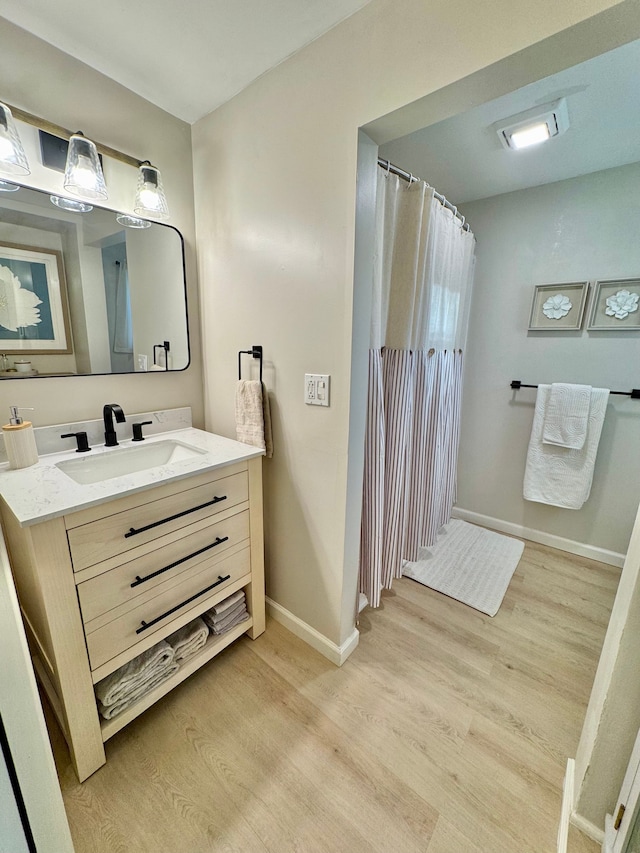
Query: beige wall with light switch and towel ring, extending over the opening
x: 275, y: 203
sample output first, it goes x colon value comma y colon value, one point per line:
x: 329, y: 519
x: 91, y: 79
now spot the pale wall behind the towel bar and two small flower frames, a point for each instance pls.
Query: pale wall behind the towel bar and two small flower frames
x: 576, y: 230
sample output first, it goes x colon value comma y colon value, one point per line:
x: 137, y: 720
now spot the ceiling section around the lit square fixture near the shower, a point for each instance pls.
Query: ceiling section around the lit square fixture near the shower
x: 463, y: 158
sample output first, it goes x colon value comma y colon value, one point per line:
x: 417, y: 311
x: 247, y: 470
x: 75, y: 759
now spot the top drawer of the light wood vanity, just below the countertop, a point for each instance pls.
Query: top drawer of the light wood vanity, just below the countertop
x: 117, y: 533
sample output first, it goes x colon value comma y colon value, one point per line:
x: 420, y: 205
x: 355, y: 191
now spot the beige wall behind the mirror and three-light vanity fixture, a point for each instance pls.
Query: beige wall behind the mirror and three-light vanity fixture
x: 46, y: 82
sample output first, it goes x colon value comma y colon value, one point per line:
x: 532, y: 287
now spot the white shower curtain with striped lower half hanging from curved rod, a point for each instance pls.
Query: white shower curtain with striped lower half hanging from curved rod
x: 423, y: 273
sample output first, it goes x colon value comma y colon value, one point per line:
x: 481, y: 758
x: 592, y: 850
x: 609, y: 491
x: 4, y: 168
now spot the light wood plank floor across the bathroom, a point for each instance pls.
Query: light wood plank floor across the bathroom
x: 445, y: 732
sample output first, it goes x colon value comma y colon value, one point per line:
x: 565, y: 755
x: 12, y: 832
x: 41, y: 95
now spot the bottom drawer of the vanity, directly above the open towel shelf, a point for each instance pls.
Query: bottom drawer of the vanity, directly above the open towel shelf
x: 191, y: 595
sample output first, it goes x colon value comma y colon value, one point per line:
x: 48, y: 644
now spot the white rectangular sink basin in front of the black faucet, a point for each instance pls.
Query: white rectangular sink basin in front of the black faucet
x: 126, y: 460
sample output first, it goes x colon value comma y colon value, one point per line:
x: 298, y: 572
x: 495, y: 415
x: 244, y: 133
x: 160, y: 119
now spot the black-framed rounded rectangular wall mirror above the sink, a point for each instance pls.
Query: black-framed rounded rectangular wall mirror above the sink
x: 82, y: 294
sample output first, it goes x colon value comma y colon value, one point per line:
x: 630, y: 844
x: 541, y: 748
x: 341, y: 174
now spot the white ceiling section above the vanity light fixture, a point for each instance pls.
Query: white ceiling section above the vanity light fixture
x: 189, y: 57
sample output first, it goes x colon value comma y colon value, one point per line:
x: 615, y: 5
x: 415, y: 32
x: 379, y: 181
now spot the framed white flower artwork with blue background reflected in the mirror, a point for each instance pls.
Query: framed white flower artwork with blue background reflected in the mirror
x: 34, y: 317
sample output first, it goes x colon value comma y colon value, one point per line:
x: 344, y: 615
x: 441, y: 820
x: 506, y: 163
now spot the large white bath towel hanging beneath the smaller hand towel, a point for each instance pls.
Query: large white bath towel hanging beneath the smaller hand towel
x: 561, y: 476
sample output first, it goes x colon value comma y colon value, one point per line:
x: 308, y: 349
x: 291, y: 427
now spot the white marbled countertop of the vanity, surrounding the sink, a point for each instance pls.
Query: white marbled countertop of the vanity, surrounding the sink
x: 43, y: 491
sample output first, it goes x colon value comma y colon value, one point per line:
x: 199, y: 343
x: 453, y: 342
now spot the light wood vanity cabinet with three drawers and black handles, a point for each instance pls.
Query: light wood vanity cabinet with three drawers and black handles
x: 99, y: 586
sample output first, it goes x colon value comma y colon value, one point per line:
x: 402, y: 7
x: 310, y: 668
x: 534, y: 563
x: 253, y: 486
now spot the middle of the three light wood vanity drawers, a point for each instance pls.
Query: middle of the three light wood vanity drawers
x: 143, y: 575
